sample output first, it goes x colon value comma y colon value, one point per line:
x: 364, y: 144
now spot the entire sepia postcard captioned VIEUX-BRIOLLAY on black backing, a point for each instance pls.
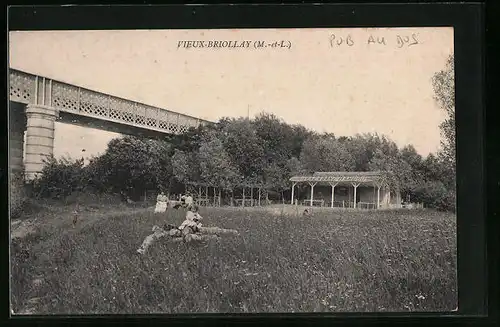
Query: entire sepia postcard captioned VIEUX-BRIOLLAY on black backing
x: 286, y: 170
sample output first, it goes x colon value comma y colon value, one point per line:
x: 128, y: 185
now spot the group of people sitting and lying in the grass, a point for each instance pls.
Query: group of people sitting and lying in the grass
x: 191, y: 228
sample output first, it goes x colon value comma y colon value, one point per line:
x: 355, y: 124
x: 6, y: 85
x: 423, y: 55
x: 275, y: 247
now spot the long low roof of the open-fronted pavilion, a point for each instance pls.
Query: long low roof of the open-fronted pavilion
x: 377, y: 177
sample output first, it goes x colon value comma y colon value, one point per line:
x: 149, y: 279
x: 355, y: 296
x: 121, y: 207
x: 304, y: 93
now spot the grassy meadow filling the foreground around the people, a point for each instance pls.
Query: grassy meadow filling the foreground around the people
x: 334, y: 261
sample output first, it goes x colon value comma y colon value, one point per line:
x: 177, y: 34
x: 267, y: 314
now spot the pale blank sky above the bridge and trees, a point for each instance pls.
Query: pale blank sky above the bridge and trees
x: 365, y: 87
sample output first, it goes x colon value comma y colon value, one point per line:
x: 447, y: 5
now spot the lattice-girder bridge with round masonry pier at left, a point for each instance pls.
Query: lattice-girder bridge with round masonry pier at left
x: 37, y: 102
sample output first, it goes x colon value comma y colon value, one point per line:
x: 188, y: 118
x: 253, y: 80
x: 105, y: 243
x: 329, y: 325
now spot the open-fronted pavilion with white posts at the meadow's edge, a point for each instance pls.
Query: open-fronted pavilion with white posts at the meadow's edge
x: 375, y: 181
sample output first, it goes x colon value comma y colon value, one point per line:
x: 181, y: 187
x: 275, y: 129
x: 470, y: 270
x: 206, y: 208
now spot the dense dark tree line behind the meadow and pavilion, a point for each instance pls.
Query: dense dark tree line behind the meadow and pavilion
x: 264, y: 151
